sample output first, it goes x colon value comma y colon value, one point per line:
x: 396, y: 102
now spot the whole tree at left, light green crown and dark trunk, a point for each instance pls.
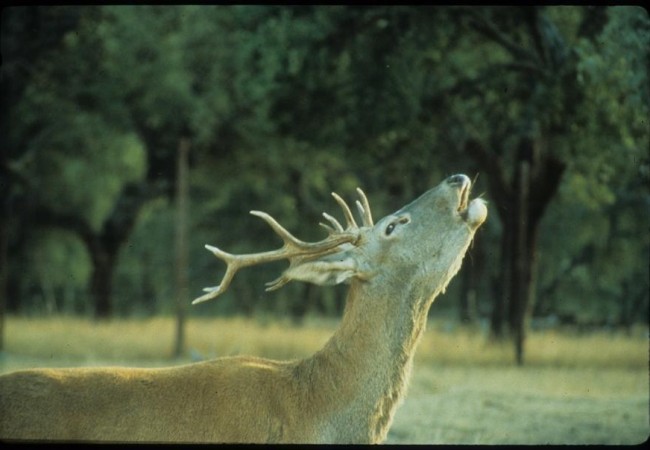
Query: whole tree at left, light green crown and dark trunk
x: 81, y: 168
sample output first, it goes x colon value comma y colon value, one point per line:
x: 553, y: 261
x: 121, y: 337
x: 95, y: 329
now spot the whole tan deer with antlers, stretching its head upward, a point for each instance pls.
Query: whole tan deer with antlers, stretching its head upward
x: 347, y: 392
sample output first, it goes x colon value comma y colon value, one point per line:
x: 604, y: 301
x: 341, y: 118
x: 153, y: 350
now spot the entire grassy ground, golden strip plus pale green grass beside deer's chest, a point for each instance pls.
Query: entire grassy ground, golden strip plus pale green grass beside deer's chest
x: 575, y: 389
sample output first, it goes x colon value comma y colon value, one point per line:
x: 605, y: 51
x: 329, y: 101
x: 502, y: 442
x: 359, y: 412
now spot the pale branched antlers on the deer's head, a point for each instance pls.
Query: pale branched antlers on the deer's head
x: 294, y: 249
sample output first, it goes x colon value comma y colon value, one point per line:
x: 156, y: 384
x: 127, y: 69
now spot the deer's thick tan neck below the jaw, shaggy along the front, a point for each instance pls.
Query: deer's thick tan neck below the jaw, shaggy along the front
x: 368, y: 359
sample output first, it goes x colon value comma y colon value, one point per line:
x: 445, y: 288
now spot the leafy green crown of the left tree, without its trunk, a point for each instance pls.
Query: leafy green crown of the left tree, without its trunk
x: 76, y: 161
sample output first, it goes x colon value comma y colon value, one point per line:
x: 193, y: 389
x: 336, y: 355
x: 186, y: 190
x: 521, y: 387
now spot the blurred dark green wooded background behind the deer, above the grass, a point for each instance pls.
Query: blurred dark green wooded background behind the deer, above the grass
x: 134, y: 135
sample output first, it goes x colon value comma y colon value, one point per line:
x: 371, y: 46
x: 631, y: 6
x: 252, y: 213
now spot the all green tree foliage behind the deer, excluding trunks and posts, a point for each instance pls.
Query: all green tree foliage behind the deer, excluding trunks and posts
x: 283, y: 104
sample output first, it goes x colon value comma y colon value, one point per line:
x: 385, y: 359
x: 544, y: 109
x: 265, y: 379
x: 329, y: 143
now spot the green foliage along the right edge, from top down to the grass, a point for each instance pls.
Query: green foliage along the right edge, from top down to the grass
x: 596, y: 244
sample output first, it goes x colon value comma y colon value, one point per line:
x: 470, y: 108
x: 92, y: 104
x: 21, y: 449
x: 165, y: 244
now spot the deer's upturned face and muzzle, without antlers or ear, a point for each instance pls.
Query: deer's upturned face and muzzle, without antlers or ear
x: 421, y: 246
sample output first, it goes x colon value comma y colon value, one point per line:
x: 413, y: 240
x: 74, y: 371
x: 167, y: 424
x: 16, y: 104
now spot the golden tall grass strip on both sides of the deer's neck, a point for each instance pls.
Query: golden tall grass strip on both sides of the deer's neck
x: 142, y: 340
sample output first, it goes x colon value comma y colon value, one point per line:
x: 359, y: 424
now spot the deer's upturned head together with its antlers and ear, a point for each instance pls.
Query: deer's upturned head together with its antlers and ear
x: 427, y: 236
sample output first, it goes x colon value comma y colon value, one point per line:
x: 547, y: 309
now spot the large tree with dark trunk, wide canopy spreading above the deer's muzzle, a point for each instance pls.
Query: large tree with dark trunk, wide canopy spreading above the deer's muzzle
x: 510, y: 87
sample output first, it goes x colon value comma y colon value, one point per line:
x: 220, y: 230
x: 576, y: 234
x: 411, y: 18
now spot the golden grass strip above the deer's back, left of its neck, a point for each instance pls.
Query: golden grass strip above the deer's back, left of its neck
x: 69, y: 339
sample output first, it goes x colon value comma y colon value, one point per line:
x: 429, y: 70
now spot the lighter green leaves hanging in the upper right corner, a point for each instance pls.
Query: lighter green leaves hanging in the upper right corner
x: 613, y: 74
